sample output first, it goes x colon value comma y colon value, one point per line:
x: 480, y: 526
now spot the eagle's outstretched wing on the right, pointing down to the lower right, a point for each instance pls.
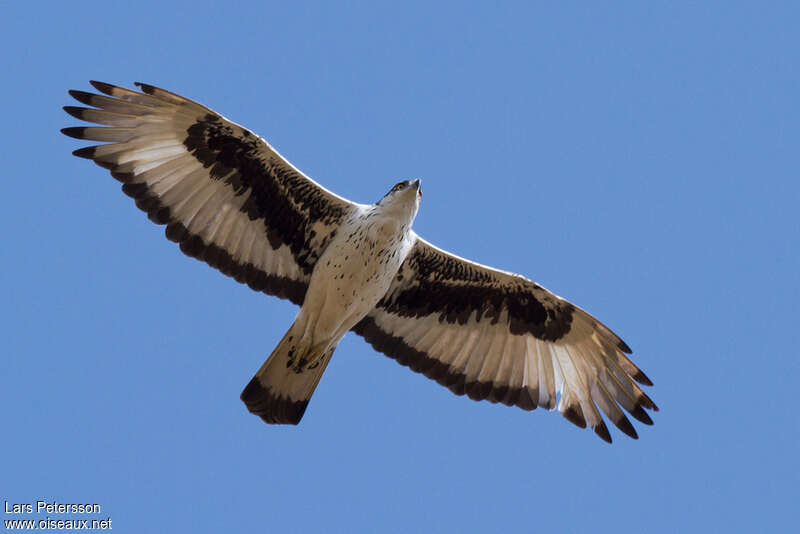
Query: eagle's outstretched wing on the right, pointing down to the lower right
x: 498, y: 336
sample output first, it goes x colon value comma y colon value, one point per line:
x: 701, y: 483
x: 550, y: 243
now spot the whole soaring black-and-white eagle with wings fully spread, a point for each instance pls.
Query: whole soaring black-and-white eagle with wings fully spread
x: 230, y: 199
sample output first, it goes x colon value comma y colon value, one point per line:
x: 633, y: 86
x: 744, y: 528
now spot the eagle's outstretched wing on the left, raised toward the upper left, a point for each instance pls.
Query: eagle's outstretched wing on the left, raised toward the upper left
x: 227, y: 197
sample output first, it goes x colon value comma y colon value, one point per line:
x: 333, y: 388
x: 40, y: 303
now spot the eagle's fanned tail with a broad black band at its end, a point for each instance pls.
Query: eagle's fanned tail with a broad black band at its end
x: 279, y: 392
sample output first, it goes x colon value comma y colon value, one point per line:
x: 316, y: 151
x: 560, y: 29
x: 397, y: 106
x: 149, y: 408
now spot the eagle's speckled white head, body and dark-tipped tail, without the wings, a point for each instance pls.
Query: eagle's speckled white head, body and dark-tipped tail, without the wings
x: 352, y: 275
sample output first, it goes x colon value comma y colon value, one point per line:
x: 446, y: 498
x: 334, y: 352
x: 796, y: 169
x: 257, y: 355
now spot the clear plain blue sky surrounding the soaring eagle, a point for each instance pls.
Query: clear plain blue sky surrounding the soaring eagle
x: 638, y: 159
